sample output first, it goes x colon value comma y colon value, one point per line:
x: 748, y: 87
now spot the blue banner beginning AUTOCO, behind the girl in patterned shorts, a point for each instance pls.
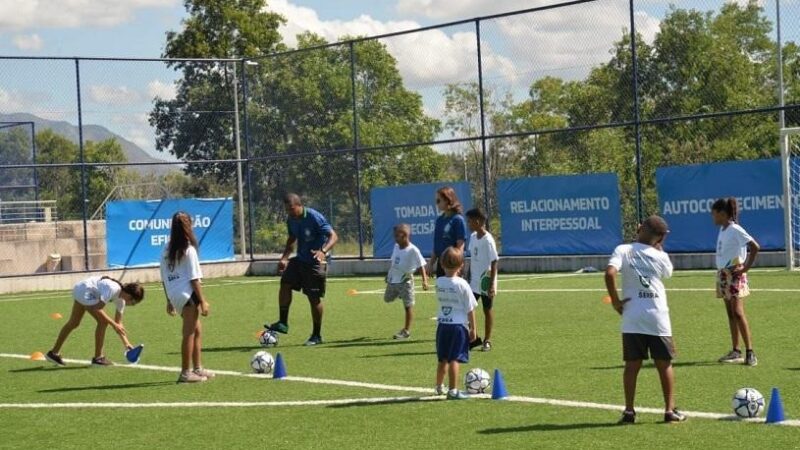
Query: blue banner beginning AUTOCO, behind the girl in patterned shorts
x: 686, y: 193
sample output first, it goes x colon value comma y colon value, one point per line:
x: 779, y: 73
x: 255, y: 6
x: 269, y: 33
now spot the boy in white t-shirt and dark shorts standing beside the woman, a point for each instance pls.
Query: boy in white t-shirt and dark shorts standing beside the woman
x: 483, y: 260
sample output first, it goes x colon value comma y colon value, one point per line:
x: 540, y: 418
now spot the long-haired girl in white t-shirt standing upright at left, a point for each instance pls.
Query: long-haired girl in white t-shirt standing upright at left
x: 181, y: 276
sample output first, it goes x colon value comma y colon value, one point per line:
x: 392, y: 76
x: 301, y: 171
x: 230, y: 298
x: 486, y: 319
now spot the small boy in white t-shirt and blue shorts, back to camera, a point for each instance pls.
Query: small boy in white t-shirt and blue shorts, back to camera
x: 456, y: 322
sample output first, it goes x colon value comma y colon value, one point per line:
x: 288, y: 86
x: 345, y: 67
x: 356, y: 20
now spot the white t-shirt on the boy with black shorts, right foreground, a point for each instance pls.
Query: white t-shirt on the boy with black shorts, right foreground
x: 643, y: 267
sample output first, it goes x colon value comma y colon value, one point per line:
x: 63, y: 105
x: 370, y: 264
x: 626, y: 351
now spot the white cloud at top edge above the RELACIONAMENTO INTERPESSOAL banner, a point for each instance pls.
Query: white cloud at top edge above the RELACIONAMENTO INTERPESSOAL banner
x: 563, y: 42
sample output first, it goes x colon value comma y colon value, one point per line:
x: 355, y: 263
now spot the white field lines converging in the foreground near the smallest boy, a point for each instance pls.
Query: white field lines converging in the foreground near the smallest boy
x: 359, y: 384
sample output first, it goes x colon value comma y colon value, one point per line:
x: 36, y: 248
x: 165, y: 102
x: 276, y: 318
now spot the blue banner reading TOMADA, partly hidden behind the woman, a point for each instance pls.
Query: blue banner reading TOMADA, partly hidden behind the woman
x: 414, y: 204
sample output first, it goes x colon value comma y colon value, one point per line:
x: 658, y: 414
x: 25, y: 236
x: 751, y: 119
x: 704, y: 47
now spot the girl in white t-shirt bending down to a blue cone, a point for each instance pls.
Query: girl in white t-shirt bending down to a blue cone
x: 92, y: 295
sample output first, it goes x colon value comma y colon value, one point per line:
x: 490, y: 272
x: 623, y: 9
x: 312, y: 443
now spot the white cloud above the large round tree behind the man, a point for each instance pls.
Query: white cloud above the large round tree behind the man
x: 430, y: 58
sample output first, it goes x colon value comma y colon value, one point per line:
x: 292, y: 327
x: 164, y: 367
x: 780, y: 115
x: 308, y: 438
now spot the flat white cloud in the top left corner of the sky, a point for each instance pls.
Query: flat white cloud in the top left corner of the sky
x: 25, y: 14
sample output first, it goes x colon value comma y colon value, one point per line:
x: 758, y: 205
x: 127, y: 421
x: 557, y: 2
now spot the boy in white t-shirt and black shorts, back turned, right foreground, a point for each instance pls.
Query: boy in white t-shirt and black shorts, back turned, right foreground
x: 646, y: 327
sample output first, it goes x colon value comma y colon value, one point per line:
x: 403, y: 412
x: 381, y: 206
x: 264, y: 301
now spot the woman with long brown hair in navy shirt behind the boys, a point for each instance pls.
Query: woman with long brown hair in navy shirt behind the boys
x: 451, y: 227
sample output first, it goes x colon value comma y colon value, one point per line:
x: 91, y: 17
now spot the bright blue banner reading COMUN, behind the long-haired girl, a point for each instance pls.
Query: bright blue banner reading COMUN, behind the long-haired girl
x: 138, y: 230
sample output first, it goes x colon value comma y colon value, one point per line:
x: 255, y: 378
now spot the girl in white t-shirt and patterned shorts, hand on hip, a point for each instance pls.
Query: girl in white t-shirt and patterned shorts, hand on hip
x: 736, y: 253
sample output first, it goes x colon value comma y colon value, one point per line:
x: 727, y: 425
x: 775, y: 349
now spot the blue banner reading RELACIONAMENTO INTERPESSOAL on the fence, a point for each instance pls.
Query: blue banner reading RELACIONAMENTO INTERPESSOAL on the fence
x: 560, y: 215
